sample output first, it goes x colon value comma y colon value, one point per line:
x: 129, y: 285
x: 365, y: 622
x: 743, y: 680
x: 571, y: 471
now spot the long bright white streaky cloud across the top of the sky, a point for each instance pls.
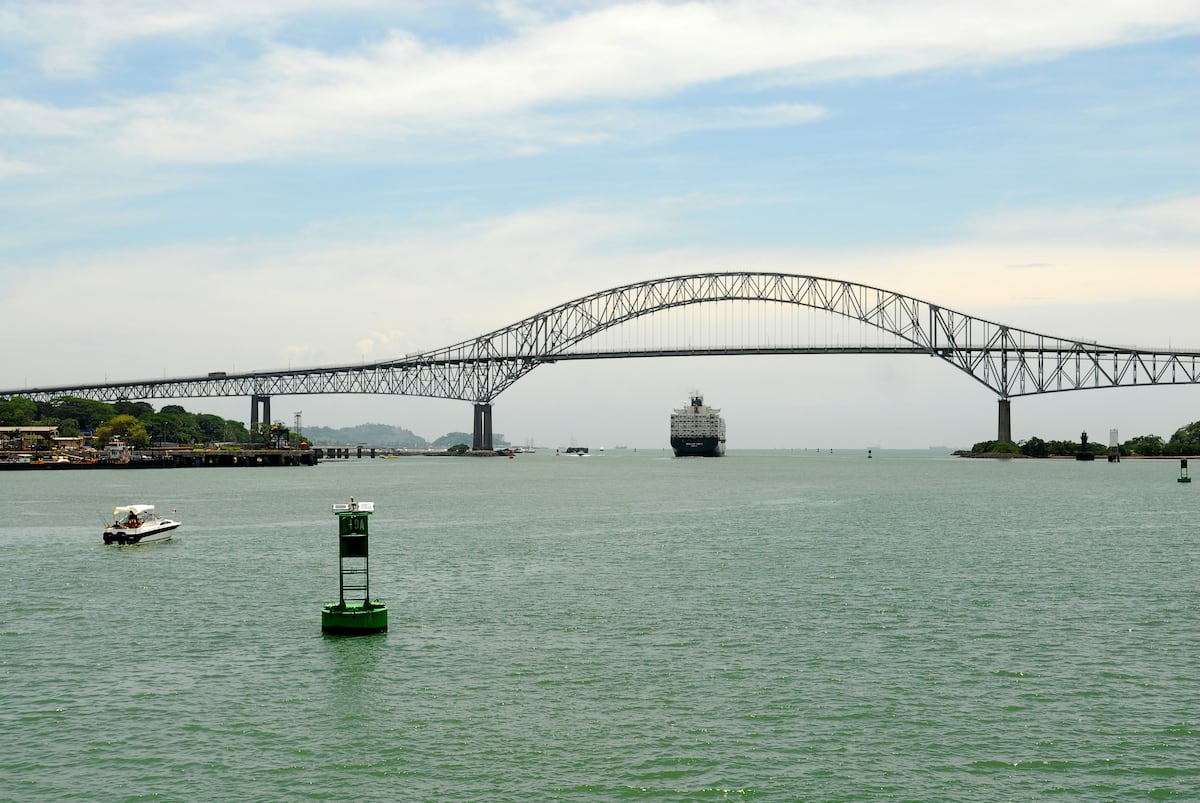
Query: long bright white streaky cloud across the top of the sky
x: 555, y: 81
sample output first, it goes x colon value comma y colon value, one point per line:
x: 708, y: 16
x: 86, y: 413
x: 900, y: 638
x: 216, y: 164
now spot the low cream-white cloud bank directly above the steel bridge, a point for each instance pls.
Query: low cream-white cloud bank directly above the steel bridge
x: 338, y: 299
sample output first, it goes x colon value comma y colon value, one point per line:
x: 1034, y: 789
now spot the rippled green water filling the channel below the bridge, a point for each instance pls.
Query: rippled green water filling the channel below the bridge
x: 770, y: 626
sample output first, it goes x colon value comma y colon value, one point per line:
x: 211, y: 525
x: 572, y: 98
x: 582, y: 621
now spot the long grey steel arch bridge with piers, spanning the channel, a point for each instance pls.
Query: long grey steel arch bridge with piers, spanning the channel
x: 1009, y: 361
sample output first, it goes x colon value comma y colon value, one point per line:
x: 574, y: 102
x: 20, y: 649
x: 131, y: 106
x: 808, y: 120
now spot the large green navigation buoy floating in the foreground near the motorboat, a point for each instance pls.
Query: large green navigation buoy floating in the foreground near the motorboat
x: 356, y: 614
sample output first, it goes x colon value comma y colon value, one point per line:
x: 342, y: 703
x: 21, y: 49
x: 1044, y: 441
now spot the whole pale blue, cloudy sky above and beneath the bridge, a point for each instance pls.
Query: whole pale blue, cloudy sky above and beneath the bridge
x: 259, y: 185
